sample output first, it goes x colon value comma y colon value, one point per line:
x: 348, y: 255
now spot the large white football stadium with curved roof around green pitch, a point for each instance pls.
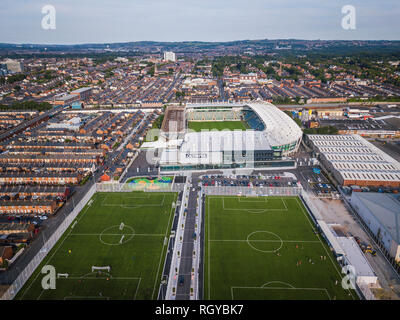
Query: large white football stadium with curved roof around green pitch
x: 226, y: 135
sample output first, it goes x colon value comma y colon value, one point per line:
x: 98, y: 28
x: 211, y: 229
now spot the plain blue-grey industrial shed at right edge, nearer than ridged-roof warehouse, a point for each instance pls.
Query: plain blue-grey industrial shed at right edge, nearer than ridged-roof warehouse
x: 381, y: 213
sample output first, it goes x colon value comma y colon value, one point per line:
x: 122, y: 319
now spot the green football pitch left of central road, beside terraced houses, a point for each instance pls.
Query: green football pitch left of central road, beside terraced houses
x: 127, y: 232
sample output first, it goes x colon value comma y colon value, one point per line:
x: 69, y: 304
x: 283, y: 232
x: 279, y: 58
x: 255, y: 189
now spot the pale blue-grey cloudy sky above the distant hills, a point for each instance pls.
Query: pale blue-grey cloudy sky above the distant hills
x: 107, y: 21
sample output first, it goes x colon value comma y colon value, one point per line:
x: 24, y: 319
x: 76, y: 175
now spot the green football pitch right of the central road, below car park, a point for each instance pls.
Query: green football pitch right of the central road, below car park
x: 265, y: 248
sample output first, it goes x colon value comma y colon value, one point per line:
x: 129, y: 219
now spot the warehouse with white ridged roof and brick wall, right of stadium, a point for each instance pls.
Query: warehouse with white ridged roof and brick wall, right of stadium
x: 354, y: 161
